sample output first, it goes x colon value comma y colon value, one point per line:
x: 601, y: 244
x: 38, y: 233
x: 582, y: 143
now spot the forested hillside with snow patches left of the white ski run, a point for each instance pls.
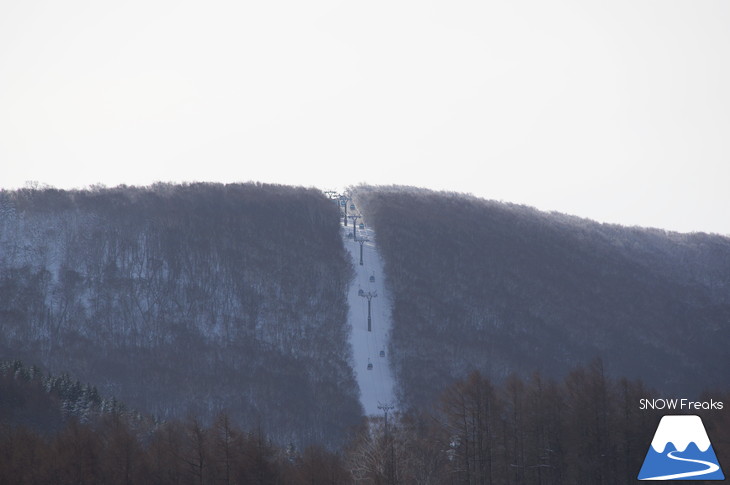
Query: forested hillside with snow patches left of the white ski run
x: 185, y: 299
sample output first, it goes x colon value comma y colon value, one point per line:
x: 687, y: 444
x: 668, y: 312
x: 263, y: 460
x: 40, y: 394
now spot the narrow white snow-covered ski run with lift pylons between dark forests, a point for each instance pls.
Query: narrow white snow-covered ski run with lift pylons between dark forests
x: 376, y: 384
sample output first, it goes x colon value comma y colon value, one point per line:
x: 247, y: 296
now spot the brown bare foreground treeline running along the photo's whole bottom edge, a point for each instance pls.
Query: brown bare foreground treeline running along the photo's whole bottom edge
x: 584, y: 429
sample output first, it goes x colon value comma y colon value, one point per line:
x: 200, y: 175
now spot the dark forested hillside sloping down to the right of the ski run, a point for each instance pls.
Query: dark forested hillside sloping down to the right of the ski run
x: 501, y: 288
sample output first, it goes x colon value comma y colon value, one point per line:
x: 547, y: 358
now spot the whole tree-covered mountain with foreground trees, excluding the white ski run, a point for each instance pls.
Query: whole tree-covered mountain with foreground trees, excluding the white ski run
x: 202, y: 303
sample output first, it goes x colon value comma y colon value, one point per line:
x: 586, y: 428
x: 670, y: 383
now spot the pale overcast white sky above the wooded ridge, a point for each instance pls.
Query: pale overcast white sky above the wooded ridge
x: 618, y: 111
